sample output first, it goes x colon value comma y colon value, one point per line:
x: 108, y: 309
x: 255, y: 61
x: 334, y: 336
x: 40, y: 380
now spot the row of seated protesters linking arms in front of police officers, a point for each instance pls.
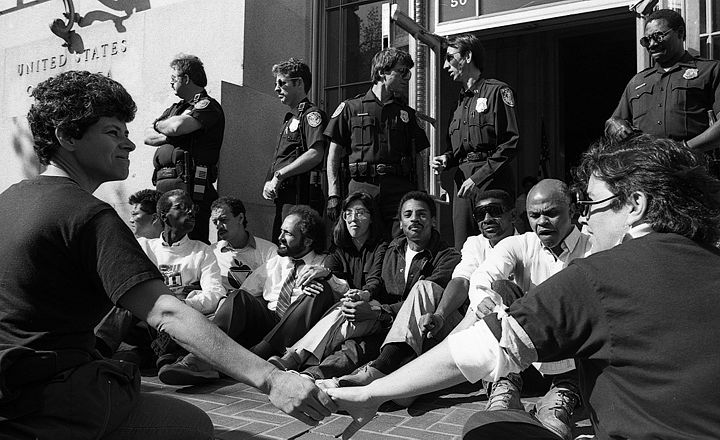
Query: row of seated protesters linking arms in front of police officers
x: 366, y: 307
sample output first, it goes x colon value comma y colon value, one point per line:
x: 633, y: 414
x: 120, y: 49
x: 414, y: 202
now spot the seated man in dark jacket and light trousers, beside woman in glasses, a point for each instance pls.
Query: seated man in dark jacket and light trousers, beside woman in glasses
x: 416, y: 269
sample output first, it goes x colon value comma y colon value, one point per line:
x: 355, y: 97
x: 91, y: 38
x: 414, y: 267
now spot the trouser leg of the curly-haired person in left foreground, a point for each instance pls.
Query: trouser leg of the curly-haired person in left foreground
x: 159, y: 417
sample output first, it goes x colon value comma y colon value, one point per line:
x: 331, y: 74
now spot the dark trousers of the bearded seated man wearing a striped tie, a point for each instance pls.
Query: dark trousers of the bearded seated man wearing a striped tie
x: 248, y: 321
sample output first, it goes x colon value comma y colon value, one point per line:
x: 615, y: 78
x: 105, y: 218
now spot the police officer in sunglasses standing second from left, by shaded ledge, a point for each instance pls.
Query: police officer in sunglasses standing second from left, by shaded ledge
x: 295, y: 175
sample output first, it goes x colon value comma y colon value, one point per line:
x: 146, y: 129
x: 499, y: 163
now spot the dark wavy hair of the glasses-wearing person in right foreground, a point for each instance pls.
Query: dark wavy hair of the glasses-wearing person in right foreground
x: 682, y: 196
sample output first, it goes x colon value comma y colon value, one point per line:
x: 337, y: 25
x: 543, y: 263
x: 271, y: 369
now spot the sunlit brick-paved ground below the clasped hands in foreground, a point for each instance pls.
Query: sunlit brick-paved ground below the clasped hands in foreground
x: 242, y: 412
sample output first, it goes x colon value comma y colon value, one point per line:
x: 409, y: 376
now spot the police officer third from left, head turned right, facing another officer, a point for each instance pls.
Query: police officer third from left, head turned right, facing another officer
x: 380, y: 136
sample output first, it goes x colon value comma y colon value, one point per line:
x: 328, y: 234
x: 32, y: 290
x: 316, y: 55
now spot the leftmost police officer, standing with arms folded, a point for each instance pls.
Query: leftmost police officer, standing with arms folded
x: 188, y: 137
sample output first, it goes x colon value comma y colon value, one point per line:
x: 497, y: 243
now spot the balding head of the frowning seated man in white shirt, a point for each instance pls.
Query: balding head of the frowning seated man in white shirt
x: 550, y: 211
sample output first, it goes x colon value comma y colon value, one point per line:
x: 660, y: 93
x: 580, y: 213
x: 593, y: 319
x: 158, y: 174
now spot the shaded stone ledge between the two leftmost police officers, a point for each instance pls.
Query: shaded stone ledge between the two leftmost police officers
x: 253, y: 120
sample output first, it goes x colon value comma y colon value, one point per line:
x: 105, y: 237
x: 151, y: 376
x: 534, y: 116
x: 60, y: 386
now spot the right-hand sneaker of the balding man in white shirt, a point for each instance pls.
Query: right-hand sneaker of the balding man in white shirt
x: 555, y: 409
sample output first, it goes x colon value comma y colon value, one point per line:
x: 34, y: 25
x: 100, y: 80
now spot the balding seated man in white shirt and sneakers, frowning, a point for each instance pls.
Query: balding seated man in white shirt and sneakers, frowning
x: 529, y: 259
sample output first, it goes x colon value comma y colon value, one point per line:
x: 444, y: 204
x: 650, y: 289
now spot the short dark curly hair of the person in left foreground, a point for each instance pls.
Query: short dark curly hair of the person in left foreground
x: 70, y: 103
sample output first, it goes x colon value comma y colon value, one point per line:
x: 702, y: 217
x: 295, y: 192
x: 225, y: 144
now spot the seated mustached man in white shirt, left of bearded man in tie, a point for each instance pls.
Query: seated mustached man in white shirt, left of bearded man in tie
x: 238, y: 251
